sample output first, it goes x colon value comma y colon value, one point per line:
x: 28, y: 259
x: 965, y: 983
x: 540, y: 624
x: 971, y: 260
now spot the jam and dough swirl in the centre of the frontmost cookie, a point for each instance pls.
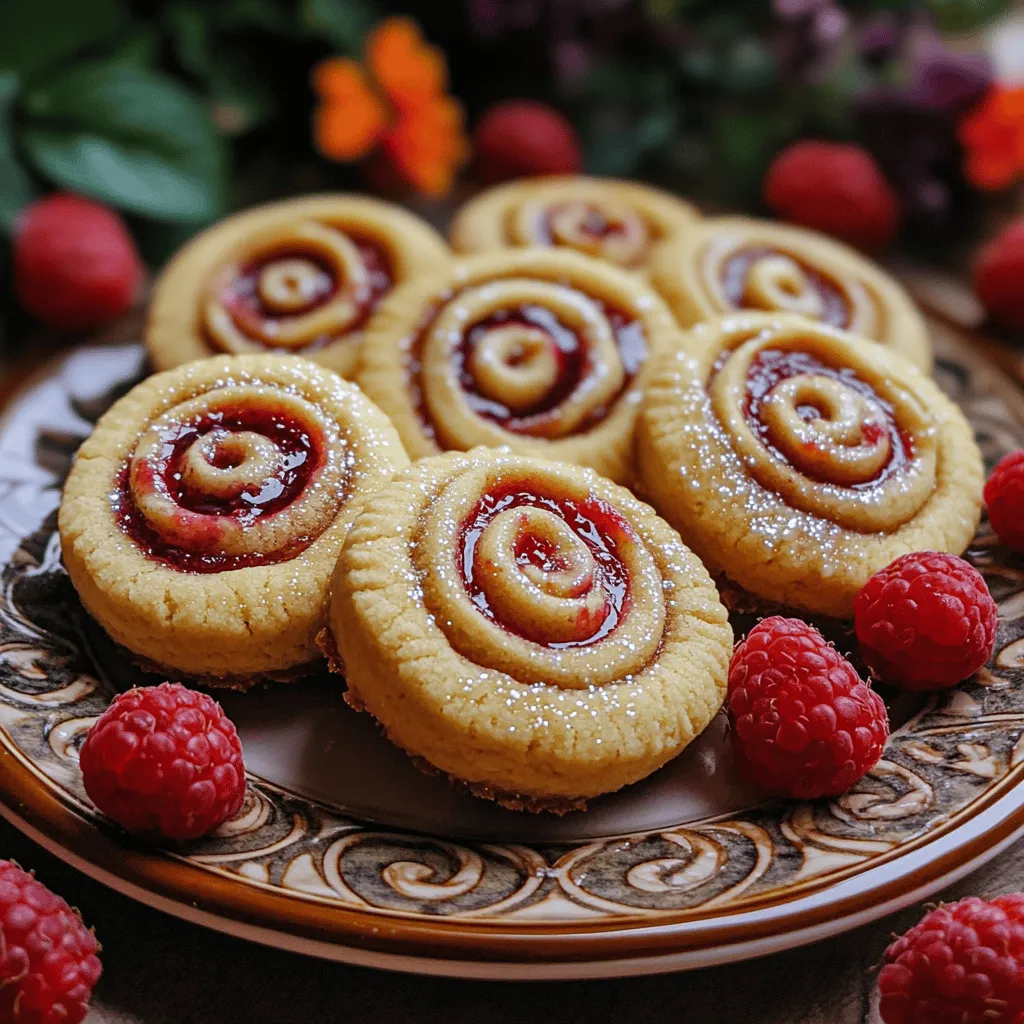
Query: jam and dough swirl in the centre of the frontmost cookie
x: 544, y: 580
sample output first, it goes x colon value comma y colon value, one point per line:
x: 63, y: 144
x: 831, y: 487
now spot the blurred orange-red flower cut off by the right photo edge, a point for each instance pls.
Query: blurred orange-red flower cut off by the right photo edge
x: 993, y: 135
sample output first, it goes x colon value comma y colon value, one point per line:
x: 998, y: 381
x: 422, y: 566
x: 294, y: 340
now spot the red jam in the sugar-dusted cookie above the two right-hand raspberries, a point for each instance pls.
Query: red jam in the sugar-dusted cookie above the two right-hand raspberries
x: 772, y: 367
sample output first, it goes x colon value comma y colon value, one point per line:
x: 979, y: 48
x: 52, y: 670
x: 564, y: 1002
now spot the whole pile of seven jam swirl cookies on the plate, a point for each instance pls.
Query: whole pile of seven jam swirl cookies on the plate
x: 507, y: 488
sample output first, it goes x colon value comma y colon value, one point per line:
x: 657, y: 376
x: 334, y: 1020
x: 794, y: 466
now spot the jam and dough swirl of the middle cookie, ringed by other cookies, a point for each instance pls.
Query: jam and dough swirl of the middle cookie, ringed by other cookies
x: 524, y: 357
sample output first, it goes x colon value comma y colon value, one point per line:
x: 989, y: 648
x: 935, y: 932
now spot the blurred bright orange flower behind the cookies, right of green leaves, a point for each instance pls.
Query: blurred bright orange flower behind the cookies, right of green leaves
x: 396, y: 101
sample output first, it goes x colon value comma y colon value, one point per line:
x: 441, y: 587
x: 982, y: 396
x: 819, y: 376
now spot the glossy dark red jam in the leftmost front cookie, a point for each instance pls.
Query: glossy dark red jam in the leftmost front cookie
x: 303, y: 456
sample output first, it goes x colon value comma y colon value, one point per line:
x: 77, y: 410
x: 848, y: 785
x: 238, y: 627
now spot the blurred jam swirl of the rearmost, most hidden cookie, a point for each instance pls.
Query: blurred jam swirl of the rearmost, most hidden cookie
x: 606, y: 229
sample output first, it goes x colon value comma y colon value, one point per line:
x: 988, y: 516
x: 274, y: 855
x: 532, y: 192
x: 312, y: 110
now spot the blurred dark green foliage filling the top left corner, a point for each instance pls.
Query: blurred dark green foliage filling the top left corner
x: 138, y: 105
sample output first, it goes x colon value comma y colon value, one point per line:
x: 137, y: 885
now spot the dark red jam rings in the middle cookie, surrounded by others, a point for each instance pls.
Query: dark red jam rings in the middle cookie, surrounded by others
x: 574, y: 365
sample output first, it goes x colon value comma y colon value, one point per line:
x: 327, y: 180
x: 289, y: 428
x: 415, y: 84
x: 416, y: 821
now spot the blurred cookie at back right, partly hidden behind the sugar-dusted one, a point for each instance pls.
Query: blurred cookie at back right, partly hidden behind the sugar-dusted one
x: 735, y: 264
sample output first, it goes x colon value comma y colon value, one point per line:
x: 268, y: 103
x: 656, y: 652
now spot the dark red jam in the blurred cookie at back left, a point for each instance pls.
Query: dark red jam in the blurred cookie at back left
x: 242, y: 300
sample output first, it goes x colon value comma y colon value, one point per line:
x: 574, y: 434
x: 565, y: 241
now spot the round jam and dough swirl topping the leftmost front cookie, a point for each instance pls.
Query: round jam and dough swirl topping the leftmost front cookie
x: 242, y: 476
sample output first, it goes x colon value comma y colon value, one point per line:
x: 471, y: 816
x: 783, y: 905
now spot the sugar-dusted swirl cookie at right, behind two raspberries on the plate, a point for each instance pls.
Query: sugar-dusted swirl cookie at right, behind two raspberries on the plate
x: 798, y: 459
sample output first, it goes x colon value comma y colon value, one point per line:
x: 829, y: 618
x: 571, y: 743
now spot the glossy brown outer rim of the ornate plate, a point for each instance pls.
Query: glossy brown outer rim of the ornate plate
x: 605, y: 948
